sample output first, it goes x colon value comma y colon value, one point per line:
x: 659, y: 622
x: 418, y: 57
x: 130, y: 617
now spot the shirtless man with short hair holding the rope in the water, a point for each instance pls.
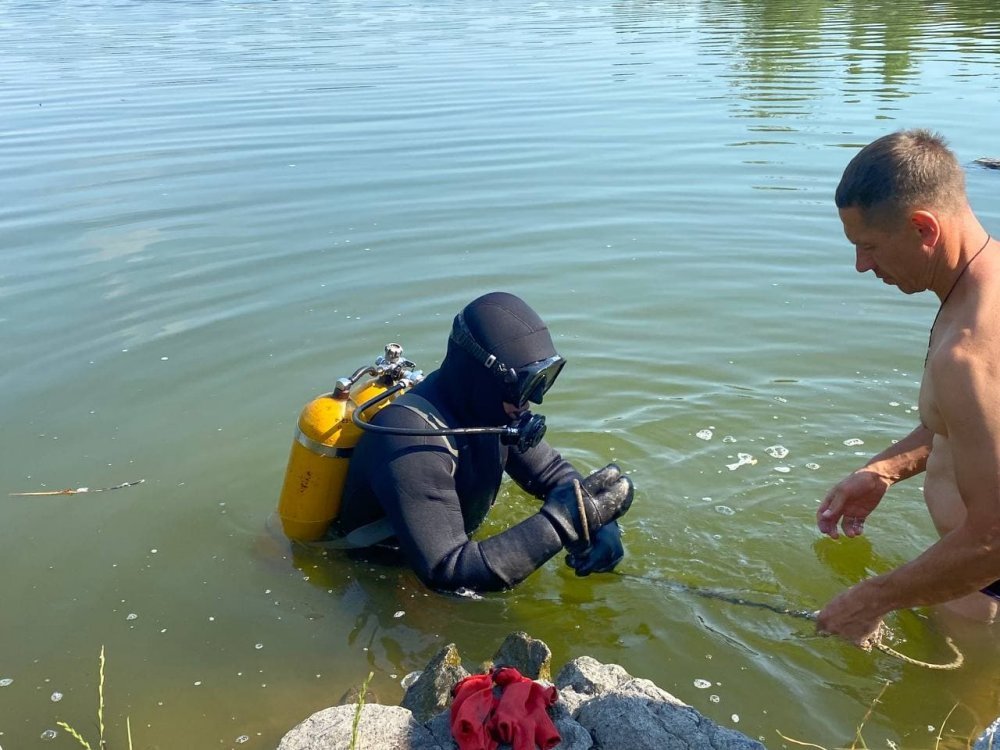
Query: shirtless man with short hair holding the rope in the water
x: 903, y: 205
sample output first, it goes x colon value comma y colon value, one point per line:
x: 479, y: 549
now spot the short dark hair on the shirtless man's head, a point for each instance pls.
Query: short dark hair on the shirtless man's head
x: 900, y: 172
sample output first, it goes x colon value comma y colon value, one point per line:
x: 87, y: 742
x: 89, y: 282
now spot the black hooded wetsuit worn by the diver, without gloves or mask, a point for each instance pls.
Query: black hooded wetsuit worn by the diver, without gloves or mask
x: 437, y: 490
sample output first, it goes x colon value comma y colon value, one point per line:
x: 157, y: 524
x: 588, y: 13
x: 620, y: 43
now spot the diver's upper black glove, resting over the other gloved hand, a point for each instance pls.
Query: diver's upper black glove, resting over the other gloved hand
x: 603, y: 496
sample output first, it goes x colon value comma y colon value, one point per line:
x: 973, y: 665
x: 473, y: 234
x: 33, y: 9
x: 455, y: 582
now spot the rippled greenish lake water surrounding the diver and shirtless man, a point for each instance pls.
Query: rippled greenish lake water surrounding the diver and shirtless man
x: 211, y: 211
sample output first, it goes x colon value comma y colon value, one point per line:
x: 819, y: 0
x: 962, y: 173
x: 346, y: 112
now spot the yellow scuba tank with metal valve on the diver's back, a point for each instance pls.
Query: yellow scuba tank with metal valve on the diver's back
x: 324, y: 439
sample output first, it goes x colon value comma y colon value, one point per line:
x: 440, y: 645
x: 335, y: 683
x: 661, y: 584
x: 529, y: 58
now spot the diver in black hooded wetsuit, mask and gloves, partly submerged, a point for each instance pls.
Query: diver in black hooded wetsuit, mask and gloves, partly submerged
x: 435, y: 490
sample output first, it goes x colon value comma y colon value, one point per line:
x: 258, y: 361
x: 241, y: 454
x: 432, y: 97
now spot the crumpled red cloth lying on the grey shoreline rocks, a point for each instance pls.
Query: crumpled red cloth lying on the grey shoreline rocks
x: 503, y: 706
